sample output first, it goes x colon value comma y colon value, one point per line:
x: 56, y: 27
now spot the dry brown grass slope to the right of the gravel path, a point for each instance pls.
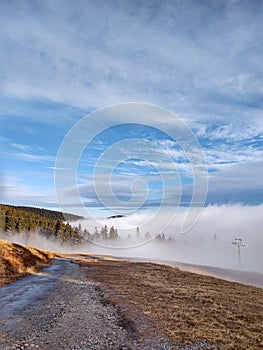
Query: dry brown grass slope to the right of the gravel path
x: 186, y: 306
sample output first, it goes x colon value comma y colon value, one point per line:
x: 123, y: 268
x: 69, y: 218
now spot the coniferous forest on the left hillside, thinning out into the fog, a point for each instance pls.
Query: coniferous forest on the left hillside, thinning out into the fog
x: 52, y: 225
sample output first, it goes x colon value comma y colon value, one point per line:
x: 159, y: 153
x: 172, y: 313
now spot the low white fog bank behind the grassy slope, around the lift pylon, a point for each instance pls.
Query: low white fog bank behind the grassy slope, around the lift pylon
x: 209, y: 242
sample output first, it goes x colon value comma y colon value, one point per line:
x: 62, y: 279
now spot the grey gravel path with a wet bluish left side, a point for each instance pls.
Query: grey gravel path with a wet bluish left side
x: 59, y: 308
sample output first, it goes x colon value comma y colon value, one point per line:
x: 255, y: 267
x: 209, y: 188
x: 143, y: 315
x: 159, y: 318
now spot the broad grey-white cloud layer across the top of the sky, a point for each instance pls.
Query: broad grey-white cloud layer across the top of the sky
x: 75, y: 59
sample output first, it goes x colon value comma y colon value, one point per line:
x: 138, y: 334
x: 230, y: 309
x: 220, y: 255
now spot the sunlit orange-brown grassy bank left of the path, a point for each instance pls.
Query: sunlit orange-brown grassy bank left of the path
x: 17, y: 261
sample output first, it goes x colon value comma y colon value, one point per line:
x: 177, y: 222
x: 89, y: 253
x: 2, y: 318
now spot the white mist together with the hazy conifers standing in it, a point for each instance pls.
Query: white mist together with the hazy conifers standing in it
x: 209, y: 242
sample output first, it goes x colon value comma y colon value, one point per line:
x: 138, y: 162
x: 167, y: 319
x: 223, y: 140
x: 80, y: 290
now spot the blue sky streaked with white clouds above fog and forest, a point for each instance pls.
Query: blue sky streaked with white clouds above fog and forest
x: 201, y: 60
